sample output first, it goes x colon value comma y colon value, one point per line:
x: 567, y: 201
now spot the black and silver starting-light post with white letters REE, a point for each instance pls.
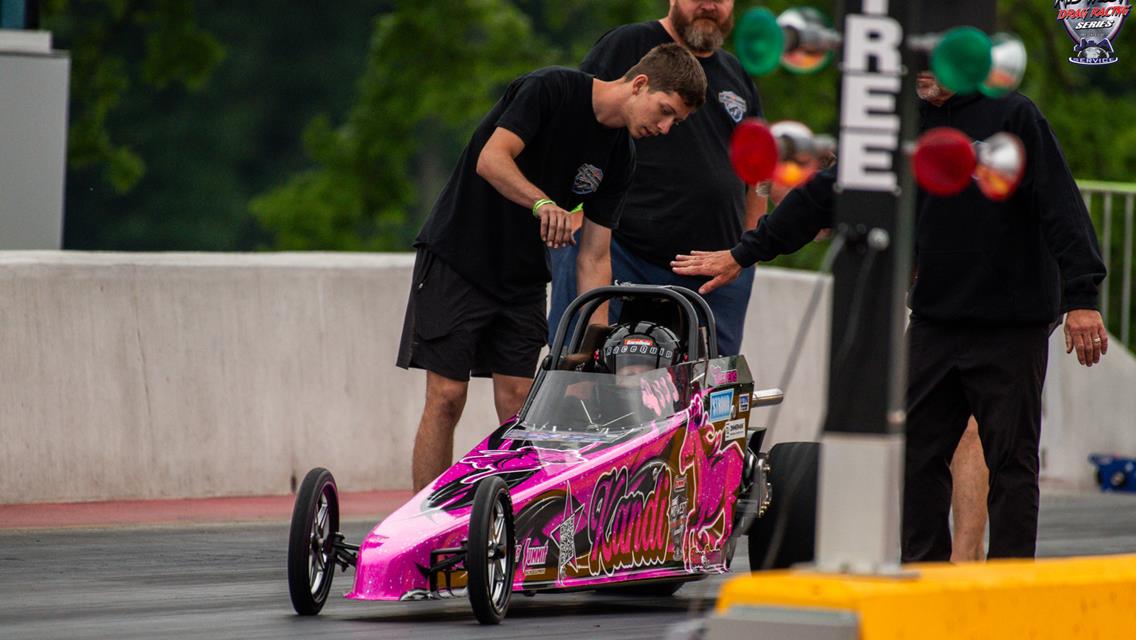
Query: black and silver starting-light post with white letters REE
x: 863, y: 447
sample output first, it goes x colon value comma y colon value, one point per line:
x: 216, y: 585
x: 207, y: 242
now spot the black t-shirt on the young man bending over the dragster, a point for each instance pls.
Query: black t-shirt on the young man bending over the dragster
x: 495, y: 244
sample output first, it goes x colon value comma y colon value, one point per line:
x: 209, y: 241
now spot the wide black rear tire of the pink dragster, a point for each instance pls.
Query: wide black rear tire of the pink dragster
x: 787, y: 534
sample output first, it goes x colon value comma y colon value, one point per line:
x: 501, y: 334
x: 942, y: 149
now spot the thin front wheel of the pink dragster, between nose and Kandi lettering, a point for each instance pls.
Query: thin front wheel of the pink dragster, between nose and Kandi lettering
x: 490, y: 552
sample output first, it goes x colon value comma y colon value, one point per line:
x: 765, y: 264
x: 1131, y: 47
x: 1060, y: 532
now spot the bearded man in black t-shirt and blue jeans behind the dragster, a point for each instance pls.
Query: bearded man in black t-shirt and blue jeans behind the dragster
x: 686, y: 195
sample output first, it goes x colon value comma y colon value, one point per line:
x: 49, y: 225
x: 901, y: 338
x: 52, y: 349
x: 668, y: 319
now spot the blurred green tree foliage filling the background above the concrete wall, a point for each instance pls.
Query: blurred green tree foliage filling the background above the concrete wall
x: 262, y: 126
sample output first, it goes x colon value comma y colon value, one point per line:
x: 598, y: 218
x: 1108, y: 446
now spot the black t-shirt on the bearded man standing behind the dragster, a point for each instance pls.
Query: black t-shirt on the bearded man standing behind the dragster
x: 686, y: 195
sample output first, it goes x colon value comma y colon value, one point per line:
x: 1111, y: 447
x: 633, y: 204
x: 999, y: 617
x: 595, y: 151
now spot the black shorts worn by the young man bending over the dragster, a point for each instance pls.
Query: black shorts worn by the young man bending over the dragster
x: 456, y: 330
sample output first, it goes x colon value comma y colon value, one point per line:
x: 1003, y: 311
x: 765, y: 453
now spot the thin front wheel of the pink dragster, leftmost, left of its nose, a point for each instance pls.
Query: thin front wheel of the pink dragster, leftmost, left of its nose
x: 312, y: 542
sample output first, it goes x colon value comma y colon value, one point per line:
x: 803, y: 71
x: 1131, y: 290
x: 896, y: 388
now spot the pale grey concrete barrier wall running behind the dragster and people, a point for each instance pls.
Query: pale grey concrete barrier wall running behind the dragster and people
x: 194, y: 376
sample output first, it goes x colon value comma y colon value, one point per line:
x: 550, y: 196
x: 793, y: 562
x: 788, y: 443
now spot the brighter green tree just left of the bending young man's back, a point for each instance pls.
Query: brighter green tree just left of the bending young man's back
x: 433, y: 70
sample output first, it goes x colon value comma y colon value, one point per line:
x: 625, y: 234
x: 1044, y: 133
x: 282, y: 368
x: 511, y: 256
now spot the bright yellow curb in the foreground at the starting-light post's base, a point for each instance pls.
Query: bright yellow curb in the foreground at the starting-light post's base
x: 1074, y: 599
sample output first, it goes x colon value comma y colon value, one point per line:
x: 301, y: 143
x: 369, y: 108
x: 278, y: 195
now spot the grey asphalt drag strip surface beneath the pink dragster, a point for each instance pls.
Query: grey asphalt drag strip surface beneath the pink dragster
x: 229, y: 581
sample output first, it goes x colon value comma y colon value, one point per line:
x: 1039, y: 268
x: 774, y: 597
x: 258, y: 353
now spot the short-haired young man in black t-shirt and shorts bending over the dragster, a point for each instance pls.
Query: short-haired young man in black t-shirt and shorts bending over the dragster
x: 557, y: 139
